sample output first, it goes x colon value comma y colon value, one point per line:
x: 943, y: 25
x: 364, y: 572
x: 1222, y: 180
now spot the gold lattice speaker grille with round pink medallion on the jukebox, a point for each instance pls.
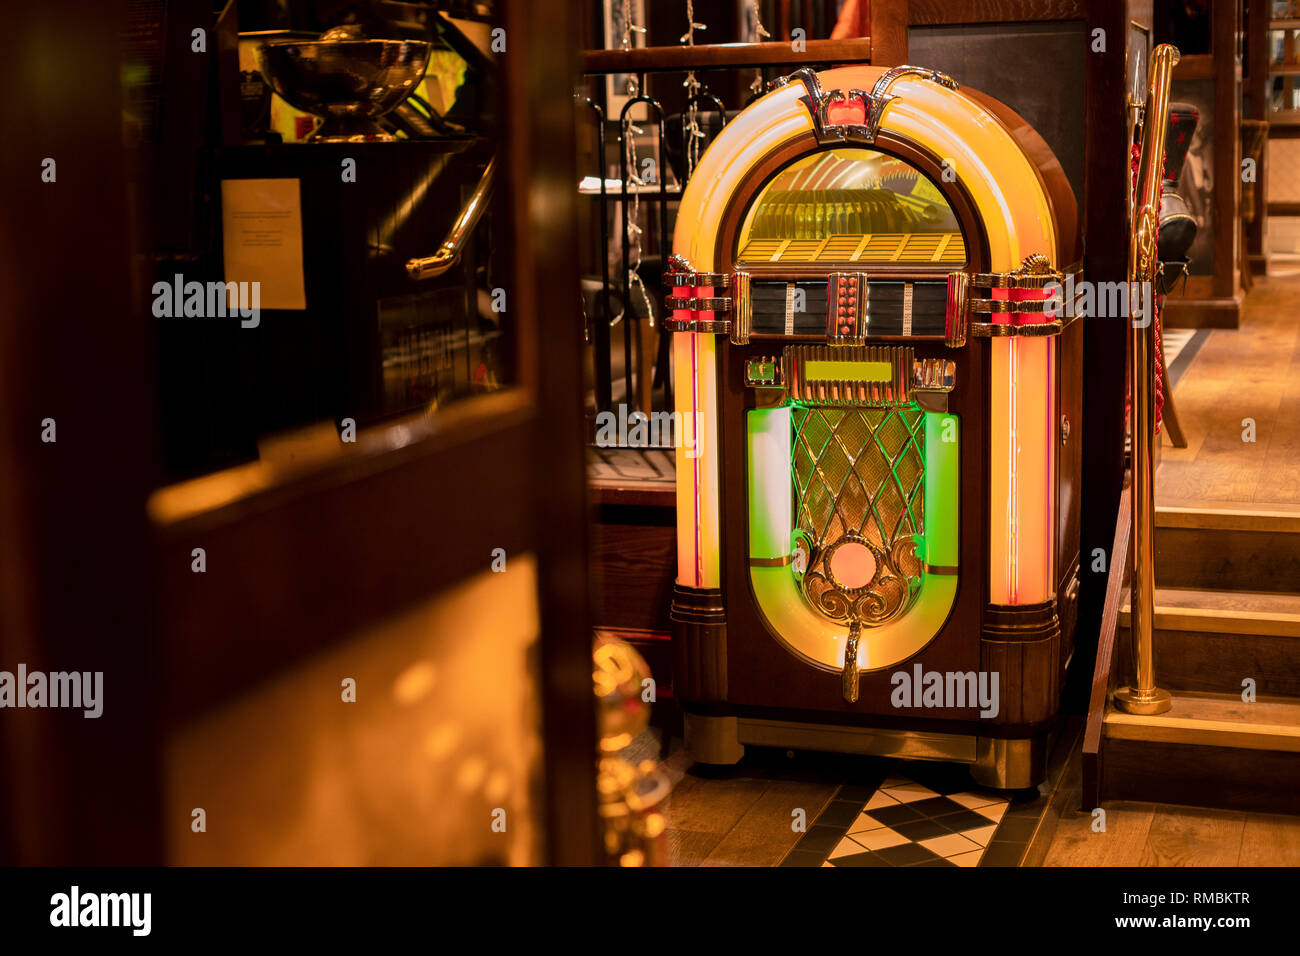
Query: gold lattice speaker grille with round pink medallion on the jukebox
x: 860, y: 491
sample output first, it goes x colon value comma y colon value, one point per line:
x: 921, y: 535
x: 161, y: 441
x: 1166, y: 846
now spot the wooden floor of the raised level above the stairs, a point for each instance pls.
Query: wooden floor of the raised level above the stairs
x: 1251, y: 373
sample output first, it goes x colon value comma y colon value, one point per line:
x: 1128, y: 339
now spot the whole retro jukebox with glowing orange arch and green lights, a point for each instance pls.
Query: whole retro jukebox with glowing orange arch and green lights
x: 879, y: 383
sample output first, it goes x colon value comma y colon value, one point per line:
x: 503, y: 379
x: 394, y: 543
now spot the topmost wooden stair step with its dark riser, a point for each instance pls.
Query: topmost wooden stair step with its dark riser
x: 1230, y: 547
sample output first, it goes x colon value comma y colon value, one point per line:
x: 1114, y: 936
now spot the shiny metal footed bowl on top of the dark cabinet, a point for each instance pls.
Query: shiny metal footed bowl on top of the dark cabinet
x: 346, y: 83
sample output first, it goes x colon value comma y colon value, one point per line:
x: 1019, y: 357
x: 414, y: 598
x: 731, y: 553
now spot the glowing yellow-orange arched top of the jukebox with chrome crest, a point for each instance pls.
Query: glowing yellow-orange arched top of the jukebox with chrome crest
x: 989, y: 167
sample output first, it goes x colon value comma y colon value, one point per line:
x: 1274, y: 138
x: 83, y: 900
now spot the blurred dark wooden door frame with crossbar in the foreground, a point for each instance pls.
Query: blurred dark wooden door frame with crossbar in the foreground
x: 426, y: 503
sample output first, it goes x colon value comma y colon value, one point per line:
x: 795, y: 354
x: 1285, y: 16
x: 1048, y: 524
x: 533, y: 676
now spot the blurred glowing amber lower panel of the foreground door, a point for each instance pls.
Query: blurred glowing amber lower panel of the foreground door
x: 444, y: 733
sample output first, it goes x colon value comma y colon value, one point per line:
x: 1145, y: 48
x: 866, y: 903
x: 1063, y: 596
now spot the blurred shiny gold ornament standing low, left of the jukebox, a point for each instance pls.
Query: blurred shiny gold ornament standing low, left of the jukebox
x: 631, y: 797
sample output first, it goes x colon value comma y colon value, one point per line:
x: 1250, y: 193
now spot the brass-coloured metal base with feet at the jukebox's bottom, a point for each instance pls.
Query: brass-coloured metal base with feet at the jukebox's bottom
x: 998, y: 763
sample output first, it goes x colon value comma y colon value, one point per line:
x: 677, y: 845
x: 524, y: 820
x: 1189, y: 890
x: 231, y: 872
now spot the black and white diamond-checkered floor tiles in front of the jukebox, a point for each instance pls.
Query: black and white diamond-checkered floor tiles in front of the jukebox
x: 907, y: 824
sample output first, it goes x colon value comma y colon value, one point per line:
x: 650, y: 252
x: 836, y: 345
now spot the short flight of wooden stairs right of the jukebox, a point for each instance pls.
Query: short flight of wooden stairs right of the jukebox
x: 1227, y: 618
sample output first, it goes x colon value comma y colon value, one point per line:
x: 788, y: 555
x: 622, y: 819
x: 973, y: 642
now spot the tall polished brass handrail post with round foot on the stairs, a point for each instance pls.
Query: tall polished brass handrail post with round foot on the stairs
x: 1145, y: 697
